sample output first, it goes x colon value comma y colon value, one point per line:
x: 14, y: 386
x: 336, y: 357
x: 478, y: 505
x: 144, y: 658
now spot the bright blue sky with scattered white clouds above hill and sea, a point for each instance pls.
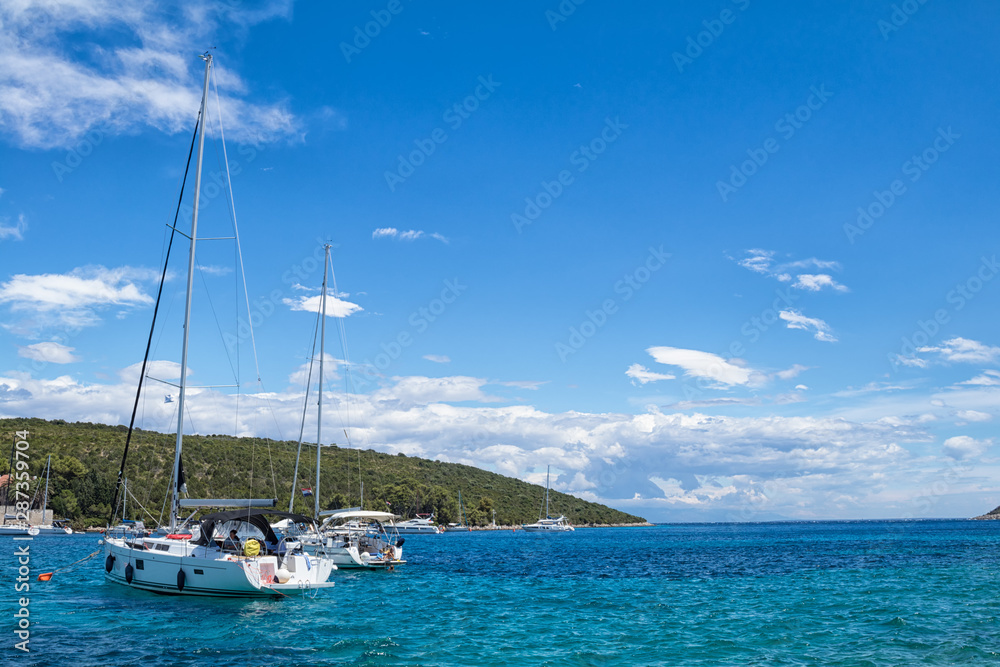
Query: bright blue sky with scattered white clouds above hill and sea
x: 724, y: 260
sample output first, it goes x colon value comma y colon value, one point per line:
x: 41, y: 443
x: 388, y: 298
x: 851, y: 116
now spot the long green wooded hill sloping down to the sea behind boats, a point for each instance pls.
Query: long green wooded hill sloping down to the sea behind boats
x: 86, y: 457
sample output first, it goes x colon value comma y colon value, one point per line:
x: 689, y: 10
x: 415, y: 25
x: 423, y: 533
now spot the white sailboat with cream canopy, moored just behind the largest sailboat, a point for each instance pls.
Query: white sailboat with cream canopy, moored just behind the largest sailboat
x: 352, y: 538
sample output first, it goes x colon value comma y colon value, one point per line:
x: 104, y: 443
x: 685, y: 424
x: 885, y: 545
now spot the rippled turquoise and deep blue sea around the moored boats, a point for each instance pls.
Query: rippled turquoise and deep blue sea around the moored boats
x: 817, y: 593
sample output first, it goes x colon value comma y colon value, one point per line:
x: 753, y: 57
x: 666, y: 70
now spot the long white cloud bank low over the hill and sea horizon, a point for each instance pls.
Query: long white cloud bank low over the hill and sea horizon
x: 804, y: 467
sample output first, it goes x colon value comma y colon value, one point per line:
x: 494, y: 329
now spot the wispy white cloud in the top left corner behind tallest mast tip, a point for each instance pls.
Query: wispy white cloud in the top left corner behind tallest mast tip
x: 53, y: 94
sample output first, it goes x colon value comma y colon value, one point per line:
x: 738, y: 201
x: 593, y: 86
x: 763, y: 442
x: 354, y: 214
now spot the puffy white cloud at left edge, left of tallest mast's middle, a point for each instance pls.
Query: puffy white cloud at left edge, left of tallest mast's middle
x: 75, y: 298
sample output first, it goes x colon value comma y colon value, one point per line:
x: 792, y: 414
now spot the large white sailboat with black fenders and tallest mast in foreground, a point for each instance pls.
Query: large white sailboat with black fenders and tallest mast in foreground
x: 190, y: 557
